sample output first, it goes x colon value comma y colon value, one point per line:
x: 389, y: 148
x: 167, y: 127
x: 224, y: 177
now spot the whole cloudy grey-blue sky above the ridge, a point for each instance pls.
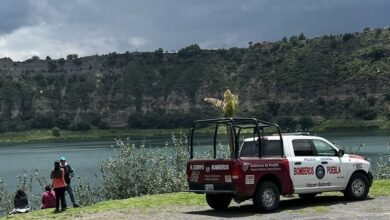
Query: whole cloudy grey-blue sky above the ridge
x: 57, y: 28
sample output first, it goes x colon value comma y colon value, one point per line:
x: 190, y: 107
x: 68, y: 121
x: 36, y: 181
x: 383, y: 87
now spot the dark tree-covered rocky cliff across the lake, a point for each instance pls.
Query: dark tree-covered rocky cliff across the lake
x: 326, y: 77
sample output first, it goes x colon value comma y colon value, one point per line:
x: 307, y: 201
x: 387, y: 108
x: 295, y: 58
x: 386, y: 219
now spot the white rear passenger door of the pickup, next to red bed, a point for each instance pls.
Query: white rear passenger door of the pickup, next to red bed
x: 304, y: 165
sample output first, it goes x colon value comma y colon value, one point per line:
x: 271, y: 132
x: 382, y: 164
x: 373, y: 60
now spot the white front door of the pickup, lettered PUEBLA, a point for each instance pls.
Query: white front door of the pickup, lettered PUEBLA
x: 335, y: 170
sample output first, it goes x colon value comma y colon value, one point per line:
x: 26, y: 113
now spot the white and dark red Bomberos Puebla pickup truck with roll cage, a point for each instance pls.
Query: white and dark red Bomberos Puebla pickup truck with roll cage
x: 265, y: 166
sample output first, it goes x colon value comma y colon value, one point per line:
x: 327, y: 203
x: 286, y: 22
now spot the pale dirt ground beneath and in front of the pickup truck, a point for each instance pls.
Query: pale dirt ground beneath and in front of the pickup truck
x: 321, y: 207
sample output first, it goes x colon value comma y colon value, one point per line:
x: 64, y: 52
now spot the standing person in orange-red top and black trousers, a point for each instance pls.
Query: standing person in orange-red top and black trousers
x: 59, y: 185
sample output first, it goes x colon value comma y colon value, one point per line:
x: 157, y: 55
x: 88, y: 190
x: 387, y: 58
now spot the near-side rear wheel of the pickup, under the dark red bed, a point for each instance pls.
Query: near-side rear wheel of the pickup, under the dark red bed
x: 266, y: 197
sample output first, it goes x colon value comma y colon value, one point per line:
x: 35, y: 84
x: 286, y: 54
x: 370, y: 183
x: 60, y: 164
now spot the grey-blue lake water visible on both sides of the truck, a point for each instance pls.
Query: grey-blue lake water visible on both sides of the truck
x: 85, y: 156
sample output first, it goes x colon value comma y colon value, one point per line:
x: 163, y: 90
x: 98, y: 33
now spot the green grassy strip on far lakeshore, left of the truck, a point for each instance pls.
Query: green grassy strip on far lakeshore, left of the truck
x: 46, y: 135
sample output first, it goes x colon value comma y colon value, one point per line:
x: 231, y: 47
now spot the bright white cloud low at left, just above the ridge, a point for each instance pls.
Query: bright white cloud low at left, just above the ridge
x: 44, y: 40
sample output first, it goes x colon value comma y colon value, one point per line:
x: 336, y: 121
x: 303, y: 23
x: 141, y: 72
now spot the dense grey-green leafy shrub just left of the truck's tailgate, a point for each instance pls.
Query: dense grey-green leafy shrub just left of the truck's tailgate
x: 138, y: 170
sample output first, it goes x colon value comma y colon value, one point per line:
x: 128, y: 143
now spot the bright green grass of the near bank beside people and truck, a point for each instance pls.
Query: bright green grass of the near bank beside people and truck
x: 145, y: 203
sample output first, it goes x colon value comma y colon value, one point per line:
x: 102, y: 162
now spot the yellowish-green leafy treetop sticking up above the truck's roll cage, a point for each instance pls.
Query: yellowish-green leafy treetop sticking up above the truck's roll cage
x: 227, y: 106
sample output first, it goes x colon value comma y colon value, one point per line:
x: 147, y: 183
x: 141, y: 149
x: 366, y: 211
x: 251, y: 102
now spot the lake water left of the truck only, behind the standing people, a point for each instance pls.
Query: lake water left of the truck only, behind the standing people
x: 83, y: 156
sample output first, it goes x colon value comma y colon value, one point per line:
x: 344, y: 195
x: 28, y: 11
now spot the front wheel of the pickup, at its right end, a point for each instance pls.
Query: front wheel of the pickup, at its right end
x: 357, y: 188
